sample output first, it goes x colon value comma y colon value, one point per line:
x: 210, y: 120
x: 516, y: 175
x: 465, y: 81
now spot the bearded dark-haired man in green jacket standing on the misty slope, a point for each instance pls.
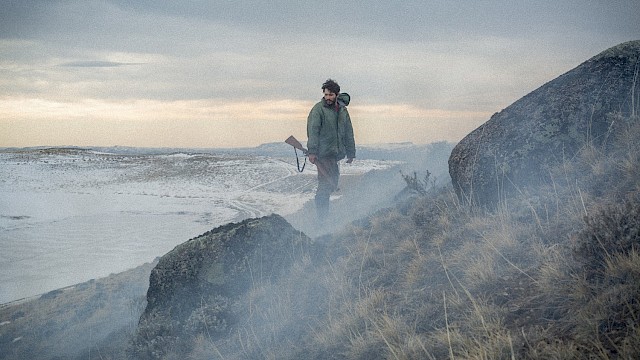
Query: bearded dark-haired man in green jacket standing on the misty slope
x: 330, y: 139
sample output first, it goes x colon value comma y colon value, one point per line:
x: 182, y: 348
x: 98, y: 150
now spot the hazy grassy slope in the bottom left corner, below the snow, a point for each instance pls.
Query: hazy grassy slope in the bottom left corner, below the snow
x: 92, y: 320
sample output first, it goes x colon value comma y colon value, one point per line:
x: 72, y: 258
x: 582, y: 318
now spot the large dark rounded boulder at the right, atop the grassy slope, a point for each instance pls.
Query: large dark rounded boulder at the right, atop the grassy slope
x: 513, y: 150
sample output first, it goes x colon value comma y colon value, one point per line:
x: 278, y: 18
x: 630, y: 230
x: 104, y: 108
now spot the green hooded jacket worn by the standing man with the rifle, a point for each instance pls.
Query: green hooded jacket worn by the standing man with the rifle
x: 329, y: 132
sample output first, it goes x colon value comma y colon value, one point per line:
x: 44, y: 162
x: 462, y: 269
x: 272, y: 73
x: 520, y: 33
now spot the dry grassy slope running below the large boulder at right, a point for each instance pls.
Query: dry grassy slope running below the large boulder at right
x: 554, y: 274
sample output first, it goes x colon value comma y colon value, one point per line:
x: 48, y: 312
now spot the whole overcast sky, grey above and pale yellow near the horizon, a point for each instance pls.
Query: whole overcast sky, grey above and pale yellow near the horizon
x: 237, y: 73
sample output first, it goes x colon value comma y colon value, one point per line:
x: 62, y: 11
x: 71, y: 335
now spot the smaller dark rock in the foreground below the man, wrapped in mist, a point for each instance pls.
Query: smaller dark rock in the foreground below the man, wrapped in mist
x: 197, y: 287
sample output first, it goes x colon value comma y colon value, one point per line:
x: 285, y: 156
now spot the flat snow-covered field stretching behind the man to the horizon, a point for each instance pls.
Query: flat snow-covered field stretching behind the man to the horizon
x: 70, y: 215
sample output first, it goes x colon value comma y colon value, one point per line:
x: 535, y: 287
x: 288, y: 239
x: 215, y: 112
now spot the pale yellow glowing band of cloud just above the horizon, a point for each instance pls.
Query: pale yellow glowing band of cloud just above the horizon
x: 211, y: 122
